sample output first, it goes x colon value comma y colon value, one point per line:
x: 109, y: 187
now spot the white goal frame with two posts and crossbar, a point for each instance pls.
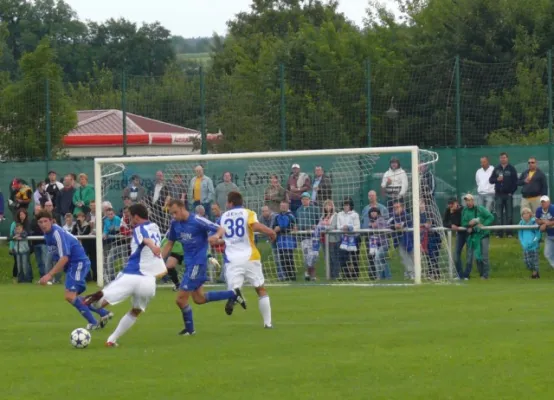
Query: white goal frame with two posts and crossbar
x: 412, y: 150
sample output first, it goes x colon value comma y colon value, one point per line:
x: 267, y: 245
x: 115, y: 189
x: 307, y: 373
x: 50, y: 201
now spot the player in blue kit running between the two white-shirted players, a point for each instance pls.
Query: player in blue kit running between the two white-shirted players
x: 193, y: 232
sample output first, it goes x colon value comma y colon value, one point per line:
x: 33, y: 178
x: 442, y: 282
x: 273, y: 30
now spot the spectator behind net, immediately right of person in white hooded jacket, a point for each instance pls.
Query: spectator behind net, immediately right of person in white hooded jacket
x: 377, y: 246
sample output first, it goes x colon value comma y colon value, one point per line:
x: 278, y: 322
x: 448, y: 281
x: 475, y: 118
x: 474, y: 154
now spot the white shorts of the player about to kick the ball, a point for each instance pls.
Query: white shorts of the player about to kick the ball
x: 140, y: 287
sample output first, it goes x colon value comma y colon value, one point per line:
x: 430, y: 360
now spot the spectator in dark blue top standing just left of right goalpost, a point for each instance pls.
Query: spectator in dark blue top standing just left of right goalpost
x: 403, y: 238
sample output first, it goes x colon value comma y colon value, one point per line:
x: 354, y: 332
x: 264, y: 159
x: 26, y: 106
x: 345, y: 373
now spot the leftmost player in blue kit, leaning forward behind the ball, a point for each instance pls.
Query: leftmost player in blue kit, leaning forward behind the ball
x: 70, y: 257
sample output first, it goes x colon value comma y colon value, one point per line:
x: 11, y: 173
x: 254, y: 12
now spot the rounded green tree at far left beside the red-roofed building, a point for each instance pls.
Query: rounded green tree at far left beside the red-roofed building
x: 23, y: 107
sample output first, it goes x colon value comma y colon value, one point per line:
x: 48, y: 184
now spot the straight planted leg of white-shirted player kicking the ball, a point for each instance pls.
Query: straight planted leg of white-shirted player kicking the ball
x: 144, y: 290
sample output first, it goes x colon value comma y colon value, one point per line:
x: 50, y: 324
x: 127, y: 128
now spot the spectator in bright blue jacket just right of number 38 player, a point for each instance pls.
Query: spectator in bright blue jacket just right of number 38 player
x: 283, y: 224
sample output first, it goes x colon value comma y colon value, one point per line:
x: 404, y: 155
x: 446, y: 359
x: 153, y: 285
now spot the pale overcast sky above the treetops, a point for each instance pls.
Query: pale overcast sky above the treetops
x: 188, y: 18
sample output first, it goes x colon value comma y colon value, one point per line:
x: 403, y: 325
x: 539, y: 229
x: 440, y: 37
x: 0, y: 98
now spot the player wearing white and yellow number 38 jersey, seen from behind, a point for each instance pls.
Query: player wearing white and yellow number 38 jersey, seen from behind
x: 242, y: 258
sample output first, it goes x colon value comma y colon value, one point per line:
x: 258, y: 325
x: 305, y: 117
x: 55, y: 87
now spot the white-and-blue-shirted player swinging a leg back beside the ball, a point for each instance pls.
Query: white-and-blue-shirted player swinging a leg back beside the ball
x: 138, y: 278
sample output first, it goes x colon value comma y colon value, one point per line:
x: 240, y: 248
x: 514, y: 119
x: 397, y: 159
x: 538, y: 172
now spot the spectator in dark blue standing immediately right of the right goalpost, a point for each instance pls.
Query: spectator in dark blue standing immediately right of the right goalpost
x: 430, y: 242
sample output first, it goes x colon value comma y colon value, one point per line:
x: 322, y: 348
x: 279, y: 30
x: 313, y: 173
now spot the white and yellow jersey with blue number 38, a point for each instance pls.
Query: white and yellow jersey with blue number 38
x: 239, y: 236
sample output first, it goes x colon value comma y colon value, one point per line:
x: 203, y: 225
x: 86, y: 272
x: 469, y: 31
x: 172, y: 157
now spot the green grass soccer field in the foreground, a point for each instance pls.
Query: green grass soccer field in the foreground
x: 482, y: 340
